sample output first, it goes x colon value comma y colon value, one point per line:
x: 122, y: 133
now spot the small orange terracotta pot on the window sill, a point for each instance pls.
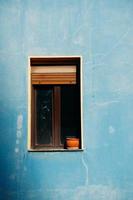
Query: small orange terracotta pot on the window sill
x: 72, y: 143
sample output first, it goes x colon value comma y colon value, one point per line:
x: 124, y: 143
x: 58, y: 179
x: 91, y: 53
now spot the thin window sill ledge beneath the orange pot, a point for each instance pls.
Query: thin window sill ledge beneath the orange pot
x: 55, y: 150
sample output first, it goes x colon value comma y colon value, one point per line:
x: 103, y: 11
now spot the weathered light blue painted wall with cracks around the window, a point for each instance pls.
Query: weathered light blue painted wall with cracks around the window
x: 102, y: 32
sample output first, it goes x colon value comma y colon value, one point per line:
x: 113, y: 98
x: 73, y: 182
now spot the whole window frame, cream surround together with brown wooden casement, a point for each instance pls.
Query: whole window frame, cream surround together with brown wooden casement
x: 56, y: 145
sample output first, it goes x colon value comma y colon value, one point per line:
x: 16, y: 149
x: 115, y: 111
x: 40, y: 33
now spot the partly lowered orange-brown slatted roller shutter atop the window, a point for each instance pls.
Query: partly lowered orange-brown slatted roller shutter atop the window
x: 53, y: 74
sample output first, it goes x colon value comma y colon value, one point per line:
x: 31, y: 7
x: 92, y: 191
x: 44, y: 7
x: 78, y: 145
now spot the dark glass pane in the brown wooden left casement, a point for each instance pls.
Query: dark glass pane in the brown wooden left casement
x: 44, y: 115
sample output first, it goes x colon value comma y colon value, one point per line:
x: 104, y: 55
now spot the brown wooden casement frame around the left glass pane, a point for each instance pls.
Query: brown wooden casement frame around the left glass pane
x: 55, y: 120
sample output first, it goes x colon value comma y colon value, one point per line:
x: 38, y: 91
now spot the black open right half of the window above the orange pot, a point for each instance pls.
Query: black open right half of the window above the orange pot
x: 70, y: 112
